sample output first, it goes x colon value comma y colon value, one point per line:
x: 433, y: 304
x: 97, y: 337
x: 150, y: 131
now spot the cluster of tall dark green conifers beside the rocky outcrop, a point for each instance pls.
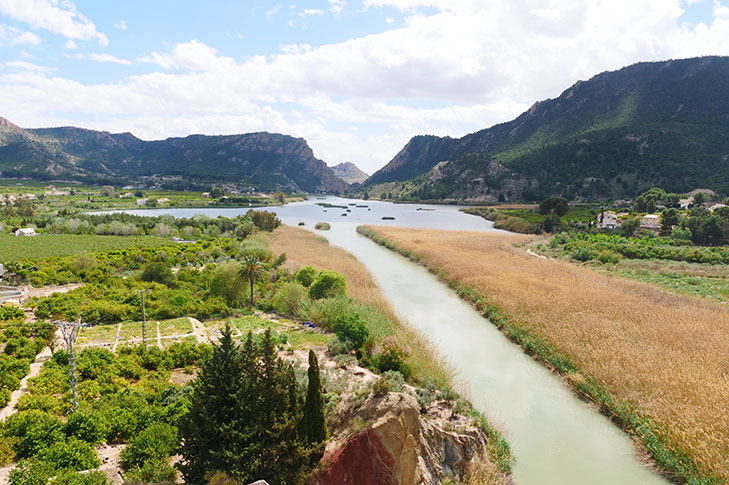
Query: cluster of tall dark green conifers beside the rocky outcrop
x: 246, y: 417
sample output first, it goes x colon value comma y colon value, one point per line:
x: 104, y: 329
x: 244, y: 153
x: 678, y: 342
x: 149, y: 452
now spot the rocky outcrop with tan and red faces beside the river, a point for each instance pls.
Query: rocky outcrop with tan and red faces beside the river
x: 401, y: 446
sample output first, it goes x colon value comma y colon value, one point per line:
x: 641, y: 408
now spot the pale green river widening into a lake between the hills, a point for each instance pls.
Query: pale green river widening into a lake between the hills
x: 556, y: 437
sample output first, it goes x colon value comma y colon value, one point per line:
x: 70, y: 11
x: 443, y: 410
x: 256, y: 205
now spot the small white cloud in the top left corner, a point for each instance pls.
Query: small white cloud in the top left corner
x: 58, y: 17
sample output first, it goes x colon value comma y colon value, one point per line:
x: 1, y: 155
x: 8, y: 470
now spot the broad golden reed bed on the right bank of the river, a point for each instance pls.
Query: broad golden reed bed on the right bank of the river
x: 667, y: 354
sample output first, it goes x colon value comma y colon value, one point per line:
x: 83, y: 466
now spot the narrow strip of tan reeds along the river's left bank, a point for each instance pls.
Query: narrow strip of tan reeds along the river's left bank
x: 305, y: 248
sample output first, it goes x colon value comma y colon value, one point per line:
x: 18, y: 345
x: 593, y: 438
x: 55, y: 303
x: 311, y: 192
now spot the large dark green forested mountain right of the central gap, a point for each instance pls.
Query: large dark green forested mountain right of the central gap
x: 653, y: 123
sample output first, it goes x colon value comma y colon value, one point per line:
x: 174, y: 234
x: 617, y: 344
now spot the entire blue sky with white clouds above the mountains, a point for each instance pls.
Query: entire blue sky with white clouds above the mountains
x: 357, y: 79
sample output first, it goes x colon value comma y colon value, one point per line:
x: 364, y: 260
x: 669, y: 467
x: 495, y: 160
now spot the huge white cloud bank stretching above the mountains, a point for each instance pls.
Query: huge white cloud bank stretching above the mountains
x: 471, y: 64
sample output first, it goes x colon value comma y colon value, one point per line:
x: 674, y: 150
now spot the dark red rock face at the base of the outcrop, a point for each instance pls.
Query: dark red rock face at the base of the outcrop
x: 362, y: 460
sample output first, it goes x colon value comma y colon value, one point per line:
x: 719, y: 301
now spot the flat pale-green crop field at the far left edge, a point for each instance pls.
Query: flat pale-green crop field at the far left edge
x: 14, y: 248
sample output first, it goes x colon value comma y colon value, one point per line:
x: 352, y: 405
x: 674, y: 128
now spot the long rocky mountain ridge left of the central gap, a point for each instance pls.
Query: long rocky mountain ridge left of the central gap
x: 264, y: 160
